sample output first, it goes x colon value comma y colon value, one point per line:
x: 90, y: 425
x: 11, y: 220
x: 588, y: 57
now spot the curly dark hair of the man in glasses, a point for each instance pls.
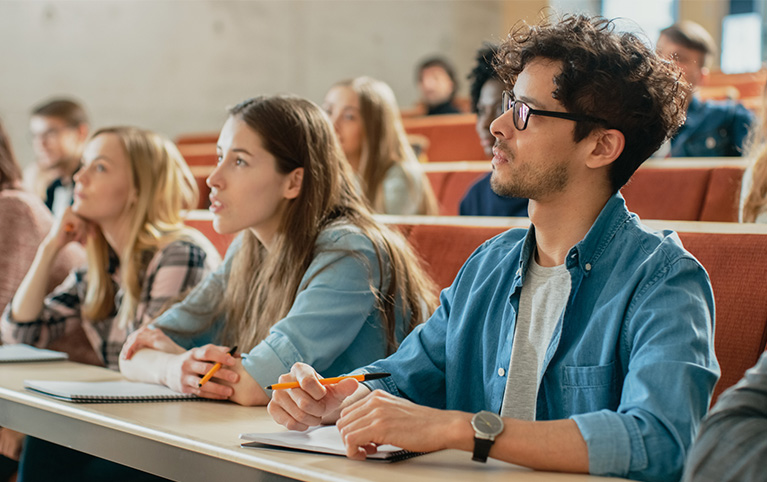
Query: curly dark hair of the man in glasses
x: 608, y: 75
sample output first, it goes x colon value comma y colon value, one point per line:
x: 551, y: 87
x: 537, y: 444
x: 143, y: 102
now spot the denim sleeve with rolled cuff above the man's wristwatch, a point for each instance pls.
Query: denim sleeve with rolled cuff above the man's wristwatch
x: 671, y: 375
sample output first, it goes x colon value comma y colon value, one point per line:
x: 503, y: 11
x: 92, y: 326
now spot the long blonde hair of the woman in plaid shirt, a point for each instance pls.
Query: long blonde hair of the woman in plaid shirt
x: 164, y: 187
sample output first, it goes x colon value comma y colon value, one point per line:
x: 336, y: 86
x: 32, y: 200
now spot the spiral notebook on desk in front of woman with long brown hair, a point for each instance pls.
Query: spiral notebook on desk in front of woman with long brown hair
x: 105, y: 392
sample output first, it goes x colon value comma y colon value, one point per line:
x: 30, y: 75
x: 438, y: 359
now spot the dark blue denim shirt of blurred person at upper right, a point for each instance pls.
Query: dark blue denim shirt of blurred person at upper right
x: 712, y: 129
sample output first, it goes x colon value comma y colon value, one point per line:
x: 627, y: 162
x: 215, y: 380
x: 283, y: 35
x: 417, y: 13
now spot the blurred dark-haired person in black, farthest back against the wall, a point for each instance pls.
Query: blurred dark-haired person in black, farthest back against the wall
x: 438, y: 85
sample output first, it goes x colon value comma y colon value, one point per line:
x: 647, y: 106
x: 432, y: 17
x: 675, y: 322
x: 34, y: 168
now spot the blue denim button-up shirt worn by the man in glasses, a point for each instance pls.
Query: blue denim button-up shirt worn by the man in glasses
x: 631, y: 360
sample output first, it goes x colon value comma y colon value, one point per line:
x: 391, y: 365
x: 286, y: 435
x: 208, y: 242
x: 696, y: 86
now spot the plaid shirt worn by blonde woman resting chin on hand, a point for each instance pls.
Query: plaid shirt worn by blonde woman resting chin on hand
x: 170, y: 273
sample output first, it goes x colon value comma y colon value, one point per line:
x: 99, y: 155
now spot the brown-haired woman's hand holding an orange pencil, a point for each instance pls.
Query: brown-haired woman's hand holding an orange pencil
x: 183, y: 372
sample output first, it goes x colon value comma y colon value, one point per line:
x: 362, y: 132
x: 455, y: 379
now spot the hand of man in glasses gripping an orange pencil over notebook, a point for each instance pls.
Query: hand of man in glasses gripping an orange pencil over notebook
x: 312, y: 403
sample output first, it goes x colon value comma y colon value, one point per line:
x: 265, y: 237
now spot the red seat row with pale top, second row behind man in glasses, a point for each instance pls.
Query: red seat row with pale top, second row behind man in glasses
x: 684, y: 190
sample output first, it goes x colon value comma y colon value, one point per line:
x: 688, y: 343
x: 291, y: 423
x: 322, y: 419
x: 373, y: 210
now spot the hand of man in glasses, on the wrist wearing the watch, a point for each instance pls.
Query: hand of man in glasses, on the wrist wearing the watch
x: 382, y: 418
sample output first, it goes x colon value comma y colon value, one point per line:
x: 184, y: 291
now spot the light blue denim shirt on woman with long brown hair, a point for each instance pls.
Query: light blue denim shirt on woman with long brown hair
x: 334, y: 324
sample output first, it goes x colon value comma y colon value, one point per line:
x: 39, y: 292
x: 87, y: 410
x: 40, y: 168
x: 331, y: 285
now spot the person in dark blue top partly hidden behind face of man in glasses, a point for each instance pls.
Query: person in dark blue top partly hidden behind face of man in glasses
x: 486, y: 89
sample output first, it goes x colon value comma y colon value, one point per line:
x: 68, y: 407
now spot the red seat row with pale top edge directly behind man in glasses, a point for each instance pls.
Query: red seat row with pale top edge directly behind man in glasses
x: 734, y: 255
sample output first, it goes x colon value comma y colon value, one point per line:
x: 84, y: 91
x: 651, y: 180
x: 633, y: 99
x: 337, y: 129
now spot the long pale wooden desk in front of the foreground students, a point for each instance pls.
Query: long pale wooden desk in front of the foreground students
x: 199, y: 440
